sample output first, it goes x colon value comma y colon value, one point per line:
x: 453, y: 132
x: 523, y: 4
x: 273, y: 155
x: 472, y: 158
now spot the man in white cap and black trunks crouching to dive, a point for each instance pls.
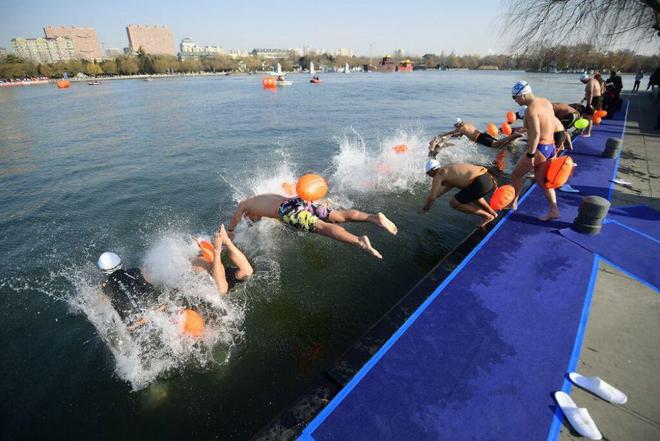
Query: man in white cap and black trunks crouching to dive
x: 474, y: 182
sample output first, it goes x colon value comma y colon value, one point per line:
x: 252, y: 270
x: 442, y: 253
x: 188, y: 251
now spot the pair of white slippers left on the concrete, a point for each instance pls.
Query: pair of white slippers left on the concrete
x: 578, y: 416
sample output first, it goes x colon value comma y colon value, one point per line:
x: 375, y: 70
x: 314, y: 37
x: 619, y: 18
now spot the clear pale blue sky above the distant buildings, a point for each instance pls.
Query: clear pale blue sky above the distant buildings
x: 416, y: 26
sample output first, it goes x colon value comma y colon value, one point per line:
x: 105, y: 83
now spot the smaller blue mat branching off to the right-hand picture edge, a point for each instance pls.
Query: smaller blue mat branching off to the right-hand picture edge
x: 633, y: 252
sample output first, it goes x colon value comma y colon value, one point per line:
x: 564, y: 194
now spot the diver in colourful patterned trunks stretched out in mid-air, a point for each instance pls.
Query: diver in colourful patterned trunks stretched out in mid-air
x: 312, y: 218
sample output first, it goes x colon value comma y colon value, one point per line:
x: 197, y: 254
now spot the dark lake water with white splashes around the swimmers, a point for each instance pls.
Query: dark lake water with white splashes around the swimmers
x: 140, y: 168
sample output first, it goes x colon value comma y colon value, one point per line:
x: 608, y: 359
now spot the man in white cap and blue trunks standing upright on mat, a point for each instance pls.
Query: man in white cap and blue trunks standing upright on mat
x: 540, y: 122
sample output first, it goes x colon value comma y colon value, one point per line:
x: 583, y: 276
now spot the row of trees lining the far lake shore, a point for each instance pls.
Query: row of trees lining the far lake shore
x: 542, y: 57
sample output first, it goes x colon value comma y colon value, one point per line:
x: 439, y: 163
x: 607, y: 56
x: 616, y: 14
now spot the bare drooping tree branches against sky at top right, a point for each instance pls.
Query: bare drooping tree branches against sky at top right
x: 574, y: 21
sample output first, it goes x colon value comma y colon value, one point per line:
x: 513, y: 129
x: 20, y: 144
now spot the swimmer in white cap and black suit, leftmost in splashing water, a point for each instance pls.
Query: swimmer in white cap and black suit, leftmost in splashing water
x: 128, y: 291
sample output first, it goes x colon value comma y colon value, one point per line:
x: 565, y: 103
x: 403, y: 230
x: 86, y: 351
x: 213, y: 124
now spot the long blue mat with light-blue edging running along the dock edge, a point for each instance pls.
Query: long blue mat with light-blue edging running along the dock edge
x: 480, y: 359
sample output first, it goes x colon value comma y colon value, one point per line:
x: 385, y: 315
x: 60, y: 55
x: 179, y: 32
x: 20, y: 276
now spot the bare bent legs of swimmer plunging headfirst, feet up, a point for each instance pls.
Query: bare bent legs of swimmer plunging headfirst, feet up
x: 225, y: 278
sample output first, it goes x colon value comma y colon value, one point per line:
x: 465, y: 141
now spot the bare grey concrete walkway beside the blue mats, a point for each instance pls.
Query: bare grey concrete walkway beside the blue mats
x: 622, y: 339
